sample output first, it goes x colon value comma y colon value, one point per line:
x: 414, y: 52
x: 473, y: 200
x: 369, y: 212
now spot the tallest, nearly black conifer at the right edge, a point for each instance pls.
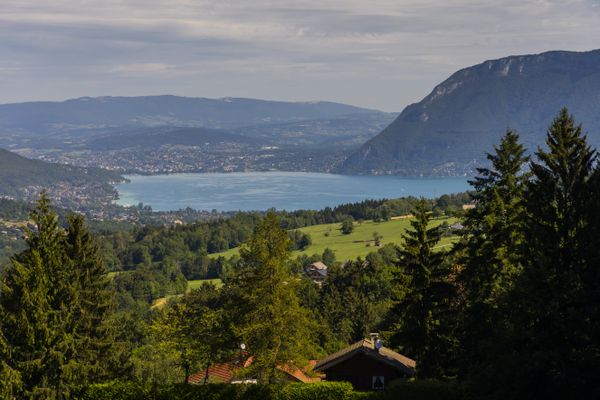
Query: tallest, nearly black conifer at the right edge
x: 553, y: 324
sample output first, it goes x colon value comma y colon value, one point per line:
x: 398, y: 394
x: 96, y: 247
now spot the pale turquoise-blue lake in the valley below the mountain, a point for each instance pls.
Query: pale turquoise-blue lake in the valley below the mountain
x: 281, y: 190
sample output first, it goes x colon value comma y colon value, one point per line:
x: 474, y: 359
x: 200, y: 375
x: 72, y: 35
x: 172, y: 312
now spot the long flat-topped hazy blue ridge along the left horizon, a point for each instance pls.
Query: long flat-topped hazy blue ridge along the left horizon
x: 104, y: 112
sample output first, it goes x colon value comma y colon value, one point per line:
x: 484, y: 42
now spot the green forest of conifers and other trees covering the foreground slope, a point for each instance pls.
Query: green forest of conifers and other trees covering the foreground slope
x: 511, y: 311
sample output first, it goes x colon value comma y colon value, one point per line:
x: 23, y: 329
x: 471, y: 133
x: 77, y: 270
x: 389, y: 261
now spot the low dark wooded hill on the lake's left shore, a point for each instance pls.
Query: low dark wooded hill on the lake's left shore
x: 19, y: 174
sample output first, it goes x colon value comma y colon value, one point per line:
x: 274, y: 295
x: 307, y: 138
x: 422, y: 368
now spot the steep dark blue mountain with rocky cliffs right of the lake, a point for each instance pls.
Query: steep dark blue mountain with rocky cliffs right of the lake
x: 449, y: 131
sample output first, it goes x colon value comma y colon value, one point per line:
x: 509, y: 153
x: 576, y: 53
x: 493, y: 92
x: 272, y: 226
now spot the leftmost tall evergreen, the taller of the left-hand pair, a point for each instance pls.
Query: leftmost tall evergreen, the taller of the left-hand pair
x: 35, y: 307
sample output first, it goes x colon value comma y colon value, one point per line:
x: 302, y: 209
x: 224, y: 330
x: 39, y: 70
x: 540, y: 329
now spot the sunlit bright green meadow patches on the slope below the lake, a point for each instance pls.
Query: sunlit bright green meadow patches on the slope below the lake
x: 360, y: 242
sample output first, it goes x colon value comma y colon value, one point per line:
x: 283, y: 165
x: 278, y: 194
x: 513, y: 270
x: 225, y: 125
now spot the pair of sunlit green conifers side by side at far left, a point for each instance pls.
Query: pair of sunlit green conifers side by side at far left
x: 55, y: 304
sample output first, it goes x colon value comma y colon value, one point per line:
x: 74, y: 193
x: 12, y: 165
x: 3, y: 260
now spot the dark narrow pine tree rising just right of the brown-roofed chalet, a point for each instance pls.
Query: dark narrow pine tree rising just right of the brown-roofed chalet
x: 424, y: 326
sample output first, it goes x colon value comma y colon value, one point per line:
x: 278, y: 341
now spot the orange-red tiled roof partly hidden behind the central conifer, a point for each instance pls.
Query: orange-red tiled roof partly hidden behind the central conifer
x: 230, y: 372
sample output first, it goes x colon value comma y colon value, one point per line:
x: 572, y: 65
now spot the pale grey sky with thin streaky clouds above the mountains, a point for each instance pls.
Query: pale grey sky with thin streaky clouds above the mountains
x: 382, y: 54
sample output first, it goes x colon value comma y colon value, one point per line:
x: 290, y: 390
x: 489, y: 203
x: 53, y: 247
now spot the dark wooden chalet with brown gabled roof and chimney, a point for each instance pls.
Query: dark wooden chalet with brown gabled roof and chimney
x: 367, y: 365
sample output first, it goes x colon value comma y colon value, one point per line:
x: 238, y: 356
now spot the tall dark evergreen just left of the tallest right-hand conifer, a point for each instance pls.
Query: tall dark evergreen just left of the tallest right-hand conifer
x: 491, y: 250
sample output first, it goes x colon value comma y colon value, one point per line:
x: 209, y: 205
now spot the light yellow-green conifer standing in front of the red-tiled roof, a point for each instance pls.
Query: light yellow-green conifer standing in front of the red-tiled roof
x: 265, y: 310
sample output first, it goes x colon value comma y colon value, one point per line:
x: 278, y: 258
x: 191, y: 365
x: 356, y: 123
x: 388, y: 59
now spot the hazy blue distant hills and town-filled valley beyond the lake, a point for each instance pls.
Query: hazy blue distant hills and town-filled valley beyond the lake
x: 166, y: 134
